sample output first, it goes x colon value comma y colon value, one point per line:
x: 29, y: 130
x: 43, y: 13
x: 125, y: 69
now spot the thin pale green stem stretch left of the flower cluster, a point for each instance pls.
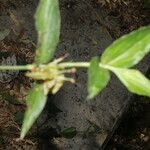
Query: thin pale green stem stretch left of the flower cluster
x: 26, y: 67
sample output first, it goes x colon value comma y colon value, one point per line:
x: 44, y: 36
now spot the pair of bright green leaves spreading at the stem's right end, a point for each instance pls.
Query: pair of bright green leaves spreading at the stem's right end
x: 125, y: 53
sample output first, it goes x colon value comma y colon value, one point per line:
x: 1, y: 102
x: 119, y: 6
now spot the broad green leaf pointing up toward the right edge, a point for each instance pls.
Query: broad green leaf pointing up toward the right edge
x: 128, y: 50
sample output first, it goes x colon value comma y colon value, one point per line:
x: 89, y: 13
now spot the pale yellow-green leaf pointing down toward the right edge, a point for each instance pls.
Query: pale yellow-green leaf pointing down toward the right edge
x: 134, y: 80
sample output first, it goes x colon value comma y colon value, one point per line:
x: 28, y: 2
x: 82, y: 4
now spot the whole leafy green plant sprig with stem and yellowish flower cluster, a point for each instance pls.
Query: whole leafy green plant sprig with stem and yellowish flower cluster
x: 119, y: 58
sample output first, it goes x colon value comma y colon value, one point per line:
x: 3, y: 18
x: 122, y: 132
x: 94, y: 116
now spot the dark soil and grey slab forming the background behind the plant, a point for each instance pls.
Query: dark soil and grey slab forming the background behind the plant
x: 87, y: 29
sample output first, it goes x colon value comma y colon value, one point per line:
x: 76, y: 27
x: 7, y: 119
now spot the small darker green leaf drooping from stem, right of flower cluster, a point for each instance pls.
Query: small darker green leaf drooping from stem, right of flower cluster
x: 97, y: 78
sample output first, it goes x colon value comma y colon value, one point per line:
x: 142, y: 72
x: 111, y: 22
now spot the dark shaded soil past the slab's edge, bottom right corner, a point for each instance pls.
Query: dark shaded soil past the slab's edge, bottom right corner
x: 133, y: 132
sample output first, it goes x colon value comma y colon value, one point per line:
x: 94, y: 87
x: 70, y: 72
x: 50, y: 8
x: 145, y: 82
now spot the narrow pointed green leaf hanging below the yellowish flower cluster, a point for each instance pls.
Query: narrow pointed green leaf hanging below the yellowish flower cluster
x: 36, y: 101
